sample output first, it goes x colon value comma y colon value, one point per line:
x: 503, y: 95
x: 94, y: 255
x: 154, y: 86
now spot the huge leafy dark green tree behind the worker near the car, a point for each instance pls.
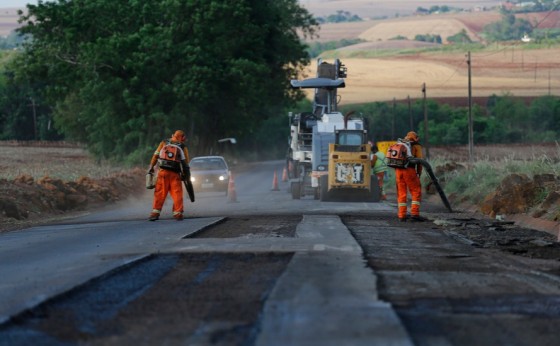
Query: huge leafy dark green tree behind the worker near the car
x: 123, y: 75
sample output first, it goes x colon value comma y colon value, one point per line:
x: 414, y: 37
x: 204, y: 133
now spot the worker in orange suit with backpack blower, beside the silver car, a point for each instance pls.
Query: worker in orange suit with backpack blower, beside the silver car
x: 172, y: 157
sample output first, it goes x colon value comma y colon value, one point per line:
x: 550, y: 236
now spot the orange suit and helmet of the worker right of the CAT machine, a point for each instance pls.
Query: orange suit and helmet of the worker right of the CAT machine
x: 408, y: 179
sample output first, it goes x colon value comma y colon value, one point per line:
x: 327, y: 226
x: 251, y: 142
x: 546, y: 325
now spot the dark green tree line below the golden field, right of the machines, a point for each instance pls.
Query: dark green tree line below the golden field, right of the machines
x: 503, y: 119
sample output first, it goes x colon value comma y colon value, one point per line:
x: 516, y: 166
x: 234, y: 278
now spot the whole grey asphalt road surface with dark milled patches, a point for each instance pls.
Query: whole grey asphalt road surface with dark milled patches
x: 269, y: 270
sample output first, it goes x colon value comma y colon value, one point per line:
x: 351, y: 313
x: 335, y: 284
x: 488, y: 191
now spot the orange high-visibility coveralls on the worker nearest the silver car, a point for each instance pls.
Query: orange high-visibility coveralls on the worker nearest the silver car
x: 168, y: 181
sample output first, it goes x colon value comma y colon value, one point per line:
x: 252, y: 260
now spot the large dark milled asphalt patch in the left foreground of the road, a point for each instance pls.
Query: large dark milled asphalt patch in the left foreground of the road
x: 182, y: 299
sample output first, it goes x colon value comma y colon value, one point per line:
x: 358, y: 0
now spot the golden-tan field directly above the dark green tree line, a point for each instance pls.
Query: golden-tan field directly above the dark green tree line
x: 503, y: 70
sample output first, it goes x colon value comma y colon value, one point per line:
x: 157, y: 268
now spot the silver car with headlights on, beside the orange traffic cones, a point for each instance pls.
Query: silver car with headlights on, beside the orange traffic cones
x: 209, y: 173
